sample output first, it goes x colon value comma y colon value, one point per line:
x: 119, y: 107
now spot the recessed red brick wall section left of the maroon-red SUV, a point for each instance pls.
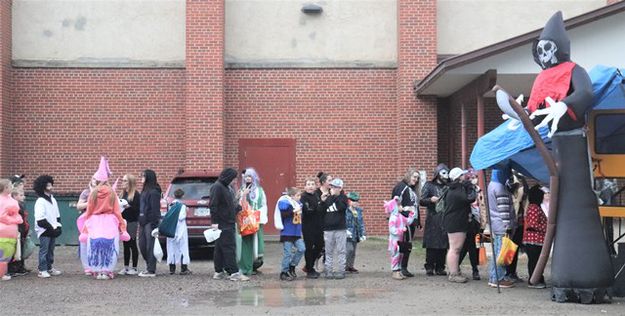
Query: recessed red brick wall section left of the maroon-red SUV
x: 65, y: 118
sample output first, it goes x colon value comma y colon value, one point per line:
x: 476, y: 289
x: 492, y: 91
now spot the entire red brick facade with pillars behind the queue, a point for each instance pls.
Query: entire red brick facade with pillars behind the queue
x: 365, y: 125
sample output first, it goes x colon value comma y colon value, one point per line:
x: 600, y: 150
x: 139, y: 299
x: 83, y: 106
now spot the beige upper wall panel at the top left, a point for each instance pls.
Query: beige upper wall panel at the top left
x: 102, y: 33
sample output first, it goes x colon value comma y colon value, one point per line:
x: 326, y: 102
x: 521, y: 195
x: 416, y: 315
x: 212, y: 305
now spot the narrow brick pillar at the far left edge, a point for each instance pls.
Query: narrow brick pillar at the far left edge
x: 5, y: 87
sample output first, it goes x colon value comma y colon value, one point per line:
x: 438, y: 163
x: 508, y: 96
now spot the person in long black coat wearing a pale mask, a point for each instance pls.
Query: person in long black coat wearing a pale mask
x: 434, y: 238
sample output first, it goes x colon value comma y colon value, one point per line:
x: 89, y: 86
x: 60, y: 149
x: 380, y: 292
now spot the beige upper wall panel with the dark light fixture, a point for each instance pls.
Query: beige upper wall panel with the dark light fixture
x: 350, y: 33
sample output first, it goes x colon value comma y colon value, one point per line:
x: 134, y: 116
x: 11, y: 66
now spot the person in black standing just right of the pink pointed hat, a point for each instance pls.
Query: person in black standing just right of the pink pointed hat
x: 131, y: 204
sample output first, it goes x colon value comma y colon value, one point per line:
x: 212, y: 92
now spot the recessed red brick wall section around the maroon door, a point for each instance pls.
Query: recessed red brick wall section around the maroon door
x: 341, y: 119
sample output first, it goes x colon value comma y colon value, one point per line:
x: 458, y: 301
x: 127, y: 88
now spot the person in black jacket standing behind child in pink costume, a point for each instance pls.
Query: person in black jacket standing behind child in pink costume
x: 409, y: 201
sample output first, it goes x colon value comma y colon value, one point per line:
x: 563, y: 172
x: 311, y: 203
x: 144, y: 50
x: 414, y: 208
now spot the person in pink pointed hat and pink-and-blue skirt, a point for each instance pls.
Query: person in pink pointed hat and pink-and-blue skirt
x: 103, y: 226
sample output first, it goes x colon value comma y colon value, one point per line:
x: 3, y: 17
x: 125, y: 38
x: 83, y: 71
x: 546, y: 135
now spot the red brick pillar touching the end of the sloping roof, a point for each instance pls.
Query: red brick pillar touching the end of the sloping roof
x: 416, y: 126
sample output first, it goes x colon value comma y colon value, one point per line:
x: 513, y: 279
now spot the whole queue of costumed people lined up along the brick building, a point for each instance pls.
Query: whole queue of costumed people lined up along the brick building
x: 317, y: 223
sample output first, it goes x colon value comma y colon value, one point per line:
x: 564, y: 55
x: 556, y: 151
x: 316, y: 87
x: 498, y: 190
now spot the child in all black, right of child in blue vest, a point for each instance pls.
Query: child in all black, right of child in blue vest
x: 312, y: 227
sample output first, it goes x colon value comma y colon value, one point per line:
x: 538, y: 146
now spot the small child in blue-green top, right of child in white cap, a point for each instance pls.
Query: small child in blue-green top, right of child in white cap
x: 355, y: 230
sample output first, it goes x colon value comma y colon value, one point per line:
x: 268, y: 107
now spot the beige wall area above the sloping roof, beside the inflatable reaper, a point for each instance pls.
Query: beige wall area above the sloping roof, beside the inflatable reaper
x: 465, y: 25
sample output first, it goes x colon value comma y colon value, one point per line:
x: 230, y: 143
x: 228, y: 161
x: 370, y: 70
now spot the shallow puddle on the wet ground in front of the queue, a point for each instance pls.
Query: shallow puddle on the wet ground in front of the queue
x: 277, y: 296
